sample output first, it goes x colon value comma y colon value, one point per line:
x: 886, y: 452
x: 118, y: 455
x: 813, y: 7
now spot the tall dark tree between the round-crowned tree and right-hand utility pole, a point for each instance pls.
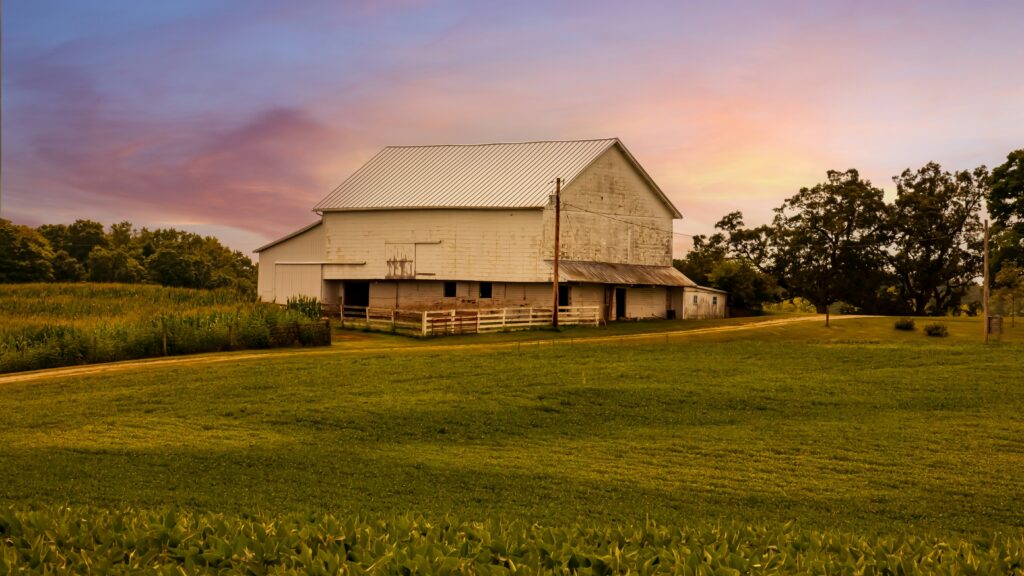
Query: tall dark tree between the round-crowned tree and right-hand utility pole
x: 936, y: 235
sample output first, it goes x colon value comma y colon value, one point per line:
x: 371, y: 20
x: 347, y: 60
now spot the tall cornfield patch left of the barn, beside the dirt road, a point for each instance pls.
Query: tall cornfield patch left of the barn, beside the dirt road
x: 52, y: 325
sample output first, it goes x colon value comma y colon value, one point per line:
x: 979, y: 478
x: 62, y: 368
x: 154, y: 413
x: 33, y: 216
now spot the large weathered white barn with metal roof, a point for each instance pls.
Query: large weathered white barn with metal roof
x: 458, y: 227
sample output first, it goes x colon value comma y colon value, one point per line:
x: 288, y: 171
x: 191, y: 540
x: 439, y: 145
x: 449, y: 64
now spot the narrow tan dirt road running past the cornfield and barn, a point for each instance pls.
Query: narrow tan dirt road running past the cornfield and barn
x: 280, y: 353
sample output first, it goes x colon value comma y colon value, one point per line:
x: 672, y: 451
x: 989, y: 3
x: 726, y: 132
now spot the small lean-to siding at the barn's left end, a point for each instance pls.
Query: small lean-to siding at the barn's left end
x: 308, y: 248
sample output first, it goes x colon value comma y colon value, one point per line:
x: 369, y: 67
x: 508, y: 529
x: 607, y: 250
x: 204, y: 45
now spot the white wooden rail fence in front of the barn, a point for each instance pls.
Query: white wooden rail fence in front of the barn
x: 471, y: 321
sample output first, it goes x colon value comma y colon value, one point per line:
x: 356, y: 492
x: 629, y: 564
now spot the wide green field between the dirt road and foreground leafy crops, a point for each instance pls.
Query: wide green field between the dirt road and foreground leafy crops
x: 858, y: 427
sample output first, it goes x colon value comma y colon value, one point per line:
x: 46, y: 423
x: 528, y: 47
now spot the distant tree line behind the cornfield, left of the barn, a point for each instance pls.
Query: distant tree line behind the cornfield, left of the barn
x: 87, y: 251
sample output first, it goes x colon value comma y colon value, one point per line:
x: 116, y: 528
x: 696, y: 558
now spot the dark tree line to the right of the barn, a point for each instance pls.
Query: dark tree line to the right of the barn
x: 840, y: 242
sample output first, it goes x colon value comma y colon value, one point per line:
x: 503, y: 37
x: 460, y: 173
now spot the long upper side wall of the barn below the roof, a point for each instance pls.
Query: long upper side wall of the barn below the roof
x: 490, y: 245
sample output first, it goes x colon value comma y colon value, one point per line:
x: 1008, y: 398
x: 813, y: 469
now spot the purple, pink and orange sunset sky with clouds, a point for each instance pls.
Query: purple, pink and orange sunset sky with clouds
x: 234, y: 118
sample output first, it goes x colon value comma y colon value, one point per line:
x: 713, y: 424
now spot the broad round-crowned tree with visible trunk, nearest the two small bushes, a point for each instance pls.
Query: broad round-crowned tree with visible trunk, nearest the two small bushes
x: 830, y: 240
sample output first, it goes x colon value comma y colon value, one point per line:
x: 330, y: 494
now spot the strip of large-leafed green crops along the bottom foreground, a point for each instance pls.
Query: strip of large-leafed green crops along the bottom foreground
x: 108, y: 543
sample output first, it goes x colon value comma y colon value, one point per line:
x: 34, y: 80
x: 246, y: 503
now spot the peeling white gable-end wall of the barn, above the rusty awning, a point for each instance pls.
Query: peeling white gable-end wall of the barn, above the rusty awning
x: 612, y: 215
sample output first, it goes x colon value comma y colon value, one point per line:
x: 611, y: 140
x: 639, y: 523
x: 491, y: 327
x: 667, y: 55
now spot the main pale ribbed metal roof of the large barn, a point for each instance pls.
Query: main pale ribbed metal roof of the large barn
x: 490, y: 176
